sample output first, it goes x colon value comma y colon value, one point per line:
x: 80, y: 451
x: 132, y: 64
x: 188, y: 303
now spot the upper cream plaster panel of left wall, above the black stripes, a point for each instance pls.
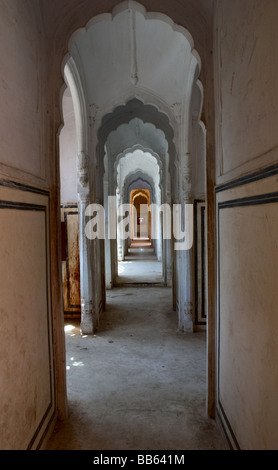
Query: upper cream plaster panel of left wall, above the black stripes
x: 21, y: 91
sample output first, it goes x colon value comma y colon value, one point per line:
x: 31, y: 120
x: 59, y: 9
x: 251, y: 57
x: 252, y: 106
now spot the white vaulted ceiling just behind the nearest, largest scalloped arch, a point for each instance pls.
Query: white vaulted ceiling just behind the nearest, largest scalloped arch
x: 114, y: 49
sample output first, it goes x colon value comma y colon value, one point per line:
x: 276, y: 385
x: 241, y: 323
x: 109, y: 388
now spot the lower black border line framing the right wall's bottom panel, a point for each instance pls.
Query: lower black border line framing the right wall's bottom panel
x: 260, y: 199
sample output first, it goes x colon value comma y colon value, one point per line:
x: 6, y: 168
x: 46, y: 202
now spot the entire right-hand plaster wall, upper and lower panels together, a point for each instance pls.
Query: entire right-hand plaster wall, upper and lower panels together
x: 247, y: 256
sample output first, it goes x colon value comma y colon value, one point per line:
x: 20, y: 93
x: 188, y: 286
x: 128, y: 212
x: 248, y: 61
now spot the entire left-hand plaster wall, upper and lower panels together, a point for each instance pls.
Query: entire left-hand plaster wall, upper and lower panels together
x: 27, y: 385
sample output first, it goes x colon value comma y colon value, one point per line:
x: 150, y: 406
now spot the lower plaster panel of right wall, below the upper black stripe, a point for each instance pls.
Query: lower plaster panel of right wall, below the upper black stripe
x: 247, y: 375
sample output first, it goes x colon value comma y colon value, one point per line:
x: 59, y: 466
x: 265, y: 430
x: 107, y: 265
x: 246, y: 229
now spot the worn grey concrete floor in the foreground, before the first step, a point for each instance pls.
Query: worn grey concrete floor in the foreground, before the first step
x: 138, y: 384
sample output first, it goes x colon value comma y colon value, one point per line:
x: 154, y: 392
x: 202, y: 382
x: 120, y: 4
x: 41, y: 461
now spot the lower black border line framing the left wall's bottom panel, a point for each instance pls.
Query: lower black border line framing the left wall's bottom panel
x: 11, y: 205
